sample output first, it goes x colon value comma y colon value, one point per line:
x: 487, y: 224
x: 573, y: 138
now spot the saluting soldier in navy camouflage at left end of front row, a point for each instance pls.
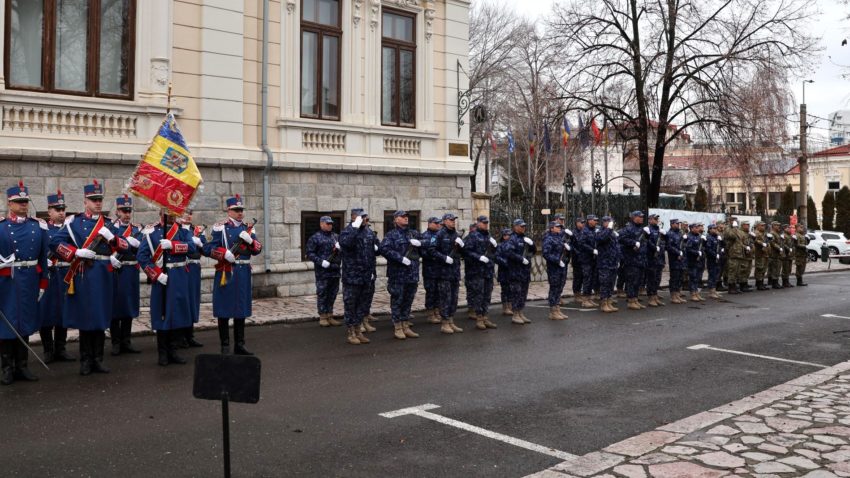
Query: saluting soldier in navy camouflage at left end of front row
x: 358, y: 272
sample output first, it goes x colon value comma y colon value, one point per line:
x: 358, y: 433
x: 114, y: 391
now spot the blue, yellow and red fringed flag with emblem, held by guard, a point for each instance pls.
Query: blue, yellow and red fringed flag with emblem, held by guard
x: 167, y: 175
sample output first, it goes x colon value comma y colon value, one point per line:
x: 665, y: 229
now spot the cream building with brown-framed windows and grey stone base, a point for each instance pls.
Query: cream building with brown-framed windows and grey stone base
x: 362, y: 107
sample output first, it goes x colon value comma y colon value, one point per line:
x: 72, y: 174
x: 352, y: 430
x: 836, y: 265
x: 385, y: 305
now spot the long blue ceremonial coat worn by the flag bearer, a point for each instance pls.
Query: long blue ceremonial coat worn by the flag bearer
x: 178, y: 311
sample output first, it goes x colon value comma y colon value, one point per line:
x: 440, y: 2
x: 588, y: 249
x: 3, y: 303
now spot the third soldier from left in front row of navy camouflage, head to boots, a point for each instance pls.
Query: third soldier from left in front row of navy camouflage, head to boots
x: 445, y: 248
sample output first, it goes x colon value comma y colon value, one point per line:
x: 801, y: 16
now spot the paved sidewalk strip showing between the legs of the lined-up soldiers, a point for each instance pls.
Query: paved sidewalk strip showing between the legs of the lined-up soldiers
x: 303, y: 308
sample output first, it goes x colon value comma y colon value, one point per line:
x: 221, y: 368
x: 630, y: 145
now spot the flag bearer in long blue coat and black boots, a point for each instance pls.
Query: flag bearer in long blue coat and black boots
x: 171, y: 304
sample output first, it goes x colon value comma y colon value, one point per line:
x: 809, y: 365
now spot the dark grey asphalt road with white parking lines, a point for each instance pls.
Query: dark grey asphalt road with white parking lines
x: 576, y: 386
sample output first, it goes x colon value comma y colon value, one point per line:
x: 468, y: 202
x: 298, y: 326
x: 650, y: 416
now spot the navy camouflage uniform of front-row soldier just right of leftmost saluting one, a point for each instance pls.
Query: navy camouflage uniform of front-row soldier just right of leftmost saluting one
x: 402, y: 280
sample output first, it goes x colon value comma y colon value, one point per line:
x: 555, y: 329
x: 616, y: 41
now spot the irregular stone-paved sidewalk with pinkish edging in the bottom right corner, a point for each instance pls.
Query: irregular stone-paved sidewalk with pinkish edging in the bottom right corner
x: 799, y: 428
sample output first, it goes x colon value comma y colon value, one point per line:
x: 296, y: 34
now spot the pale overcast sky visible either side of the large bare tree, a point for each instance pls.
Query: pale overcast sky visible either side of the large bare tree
x: 827, y: 94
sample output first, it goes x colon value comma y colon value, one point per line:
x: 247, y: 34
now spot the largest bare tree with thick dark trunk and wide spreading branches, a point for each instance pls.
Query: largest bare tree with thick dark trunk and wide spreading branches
x: 672, y: 61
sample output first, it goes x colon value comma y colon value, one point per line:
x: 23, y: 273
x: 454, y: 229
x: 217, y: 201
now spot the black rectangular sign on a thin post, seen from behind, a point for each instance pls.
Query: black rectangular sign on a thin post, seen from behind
x: 229, y: 378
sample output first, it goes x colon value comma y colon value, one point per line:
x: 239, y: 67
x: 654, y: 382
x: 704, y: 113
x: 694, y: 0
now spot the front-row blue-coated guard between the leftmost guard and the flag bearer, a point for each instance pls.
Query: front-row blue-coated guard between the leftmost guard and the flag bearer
x: 88, y: 241
